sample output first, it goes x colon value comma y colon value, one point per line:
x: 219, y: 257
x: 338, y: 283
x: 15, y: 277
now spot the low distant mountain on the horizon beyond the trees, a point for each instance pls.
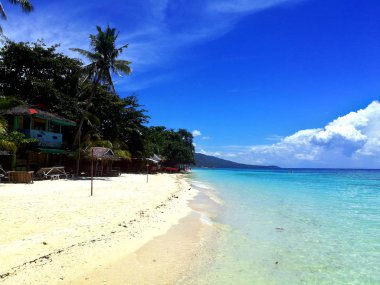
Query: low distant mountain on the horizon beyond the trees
x: 202, y: 160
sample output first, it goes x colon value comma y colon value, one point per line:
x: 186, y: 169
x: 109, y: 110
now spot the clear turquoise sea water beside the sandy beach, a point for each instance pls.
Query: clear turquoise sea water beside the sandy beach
x: 294, y: 227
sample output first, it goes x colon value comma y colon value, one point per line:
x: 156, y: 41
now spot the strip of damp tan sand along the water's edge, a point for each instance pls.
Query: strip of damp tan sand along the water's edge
x: 171, y: 258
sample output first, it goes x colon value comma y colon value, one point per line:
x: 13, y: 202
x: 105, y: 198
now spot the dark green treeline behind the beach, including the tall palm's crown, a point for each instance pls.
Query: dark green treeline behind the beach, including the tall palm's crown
x: 35, y: 74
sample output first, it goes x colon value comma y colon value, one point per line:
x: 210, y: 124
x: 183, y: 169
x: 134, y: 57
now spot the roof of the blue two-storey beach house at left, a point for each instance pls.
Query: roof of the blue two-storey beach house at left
x: 32, y: 112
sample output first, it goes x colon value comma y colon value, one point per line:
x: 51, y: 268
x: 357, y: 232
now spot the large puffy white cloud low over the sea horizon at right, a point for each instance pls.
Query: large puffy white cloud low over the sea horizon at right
x: 352, y: 140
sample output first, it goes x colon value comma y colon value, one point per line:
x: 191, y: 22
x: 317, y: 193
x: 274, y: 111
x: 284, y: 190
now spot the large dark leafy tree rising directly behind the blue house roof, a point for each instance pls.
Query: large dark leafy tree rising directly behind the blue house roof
x: 38, y: 75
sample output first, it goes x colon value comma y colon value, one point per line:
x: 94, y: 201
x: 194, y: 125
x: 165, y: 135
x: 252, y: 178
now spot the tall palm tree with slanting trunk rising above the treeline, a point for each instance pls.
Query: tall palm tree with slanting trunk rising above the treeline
x: 103, y: 61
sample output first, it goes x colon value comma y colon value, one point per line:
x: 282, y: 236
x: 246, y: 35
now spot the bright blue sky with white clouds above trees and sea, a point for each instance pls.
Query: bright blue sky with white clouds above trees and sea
x: 260, y: 81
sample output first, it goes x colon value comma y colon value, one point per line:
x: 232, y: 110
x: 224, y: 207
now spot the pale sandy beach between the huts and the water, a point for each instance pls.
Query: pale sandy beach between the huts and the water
x: 129, y: 232
